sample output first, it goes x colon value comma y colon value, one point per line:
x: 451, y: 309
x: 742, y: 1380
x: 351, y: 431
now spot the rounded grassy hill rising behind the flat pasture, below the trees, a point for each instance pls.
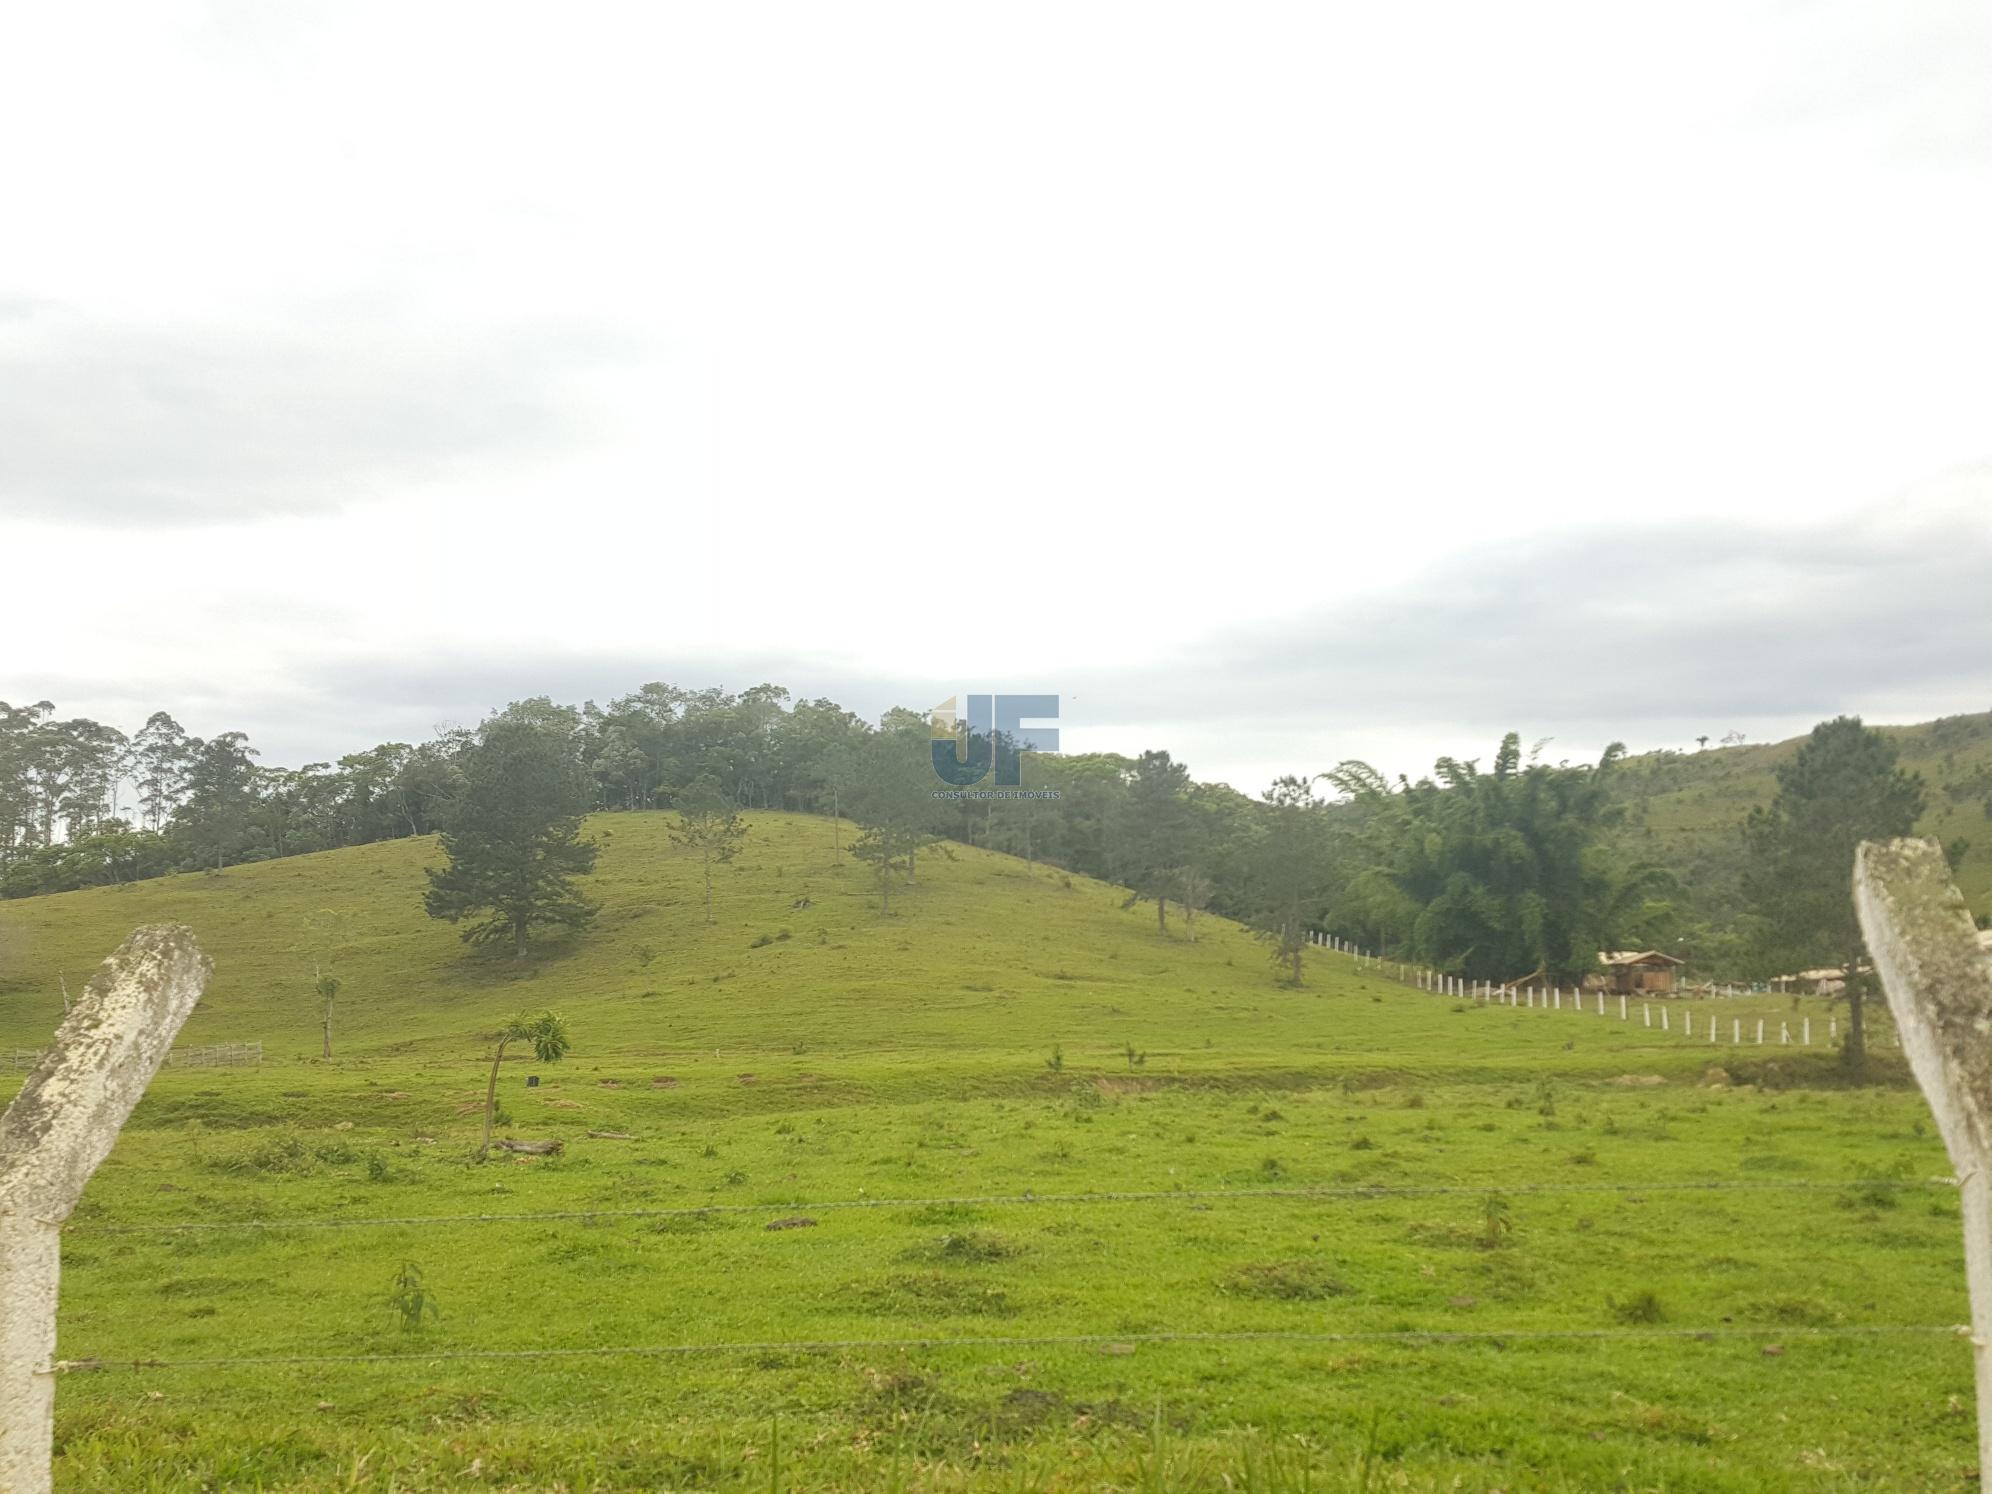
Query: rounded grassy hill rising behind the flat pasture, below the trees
x: 985, y: 953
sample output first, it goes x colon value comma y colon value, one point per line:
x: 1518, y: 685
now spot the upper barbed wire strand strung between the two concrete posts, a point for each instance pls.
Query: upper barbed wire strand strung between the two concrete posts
x: 1354, y: 1192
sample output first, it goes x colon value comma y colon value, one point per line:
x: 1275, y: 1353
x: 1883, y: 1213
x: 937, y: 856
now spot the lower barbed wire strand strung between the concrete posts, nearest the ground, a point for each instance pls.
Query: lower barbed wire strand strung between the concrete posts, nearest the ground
x: 1029, y: 1342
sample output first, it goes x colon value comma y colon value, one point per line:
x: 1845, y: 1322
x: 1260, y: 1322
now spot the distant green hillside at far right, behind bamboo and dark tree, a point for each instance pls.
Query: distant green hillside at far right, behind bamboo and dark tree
x: 1688, y: 808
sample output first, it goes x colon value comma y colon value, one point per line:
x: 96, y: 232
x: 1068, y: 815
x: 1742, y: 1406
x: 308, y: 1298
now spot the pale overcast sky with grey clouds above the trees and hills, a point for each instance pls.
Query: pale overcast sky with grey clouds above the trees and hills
x: 1274, y: 383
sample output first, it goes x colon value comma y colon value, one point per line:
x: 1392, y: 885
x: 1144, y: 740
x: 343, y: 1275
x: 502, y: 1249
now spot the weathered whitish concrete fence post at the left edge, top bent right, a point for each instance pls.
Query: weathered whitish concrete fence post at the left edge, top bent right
x: 55, y: 1134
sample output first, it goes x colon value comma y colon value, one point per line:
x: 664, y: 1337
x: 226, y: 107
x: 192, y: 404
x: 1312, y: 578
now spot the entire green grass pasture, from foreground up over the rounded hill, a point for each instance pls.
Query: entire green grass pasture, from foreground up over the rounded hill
x: 1085, y: 1210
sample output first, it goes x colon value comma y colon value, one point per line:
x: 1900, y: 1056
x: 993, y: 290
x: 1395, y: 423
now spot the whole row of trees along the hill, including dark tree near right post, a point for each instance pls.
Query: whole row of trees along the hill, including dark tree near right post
x: 1481, y: 871
